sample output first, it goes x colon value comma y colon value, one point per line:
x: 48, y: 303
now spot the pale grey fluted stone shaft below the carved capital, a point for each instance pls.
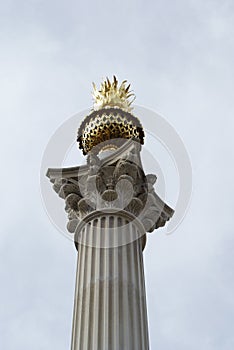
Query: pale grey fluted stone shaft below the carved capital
x: 110, y: 301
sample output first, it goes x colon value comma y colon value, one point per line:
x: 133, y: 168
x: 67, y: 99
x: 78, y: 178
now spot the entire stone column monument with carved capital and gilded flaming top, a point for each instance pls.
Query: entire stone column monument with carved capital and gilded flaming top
x: 111, y: 205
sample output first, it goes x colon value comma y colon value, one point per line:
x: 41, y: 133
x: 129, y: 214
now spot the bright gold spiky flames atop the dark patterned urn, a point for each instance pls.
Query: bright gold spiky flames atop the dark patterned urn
x: 112, y: 95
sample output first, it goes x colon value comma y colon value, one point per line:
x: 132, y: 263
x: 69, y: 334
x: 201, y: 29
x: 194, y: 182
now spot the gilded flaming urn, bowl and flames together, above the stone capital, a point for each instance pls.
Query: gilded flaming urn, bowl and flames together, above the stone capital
x: 111, y: 121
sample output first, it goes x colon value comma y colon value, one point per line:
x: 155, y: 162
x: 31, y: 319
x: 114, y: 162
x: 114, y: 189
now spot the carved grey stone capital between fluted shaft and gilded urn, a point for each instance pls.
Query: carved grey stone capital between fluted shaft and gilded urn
x: 116, y: 181
